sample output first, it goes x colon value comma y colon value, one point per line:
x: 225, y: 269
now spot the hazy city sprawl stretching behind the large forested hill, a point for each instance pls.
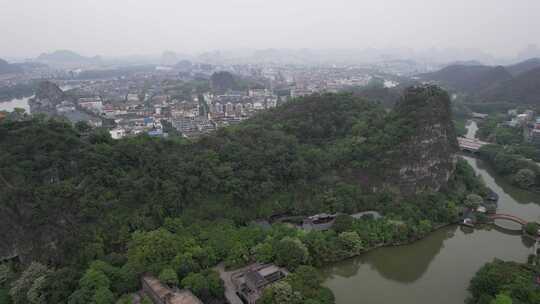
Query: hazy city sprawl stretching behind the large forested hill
x: 165, y: 99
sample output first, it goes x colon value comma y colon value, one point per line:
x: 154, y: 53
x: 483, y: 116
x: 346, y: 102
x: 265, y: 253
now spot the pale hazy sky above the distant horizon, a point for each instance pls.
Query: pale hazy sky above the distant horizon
x: 119, y: 27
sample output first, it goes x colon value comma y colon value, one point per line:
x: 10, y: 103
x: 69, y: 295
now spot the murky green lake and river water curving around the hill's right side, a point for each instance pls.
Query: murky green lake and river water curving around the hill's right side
x: 438, y: 268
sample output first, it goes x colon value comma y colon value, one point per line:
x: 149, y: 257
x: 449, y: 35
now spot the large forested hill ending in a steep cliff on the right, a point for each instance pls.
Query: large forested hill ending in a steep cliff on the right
x: 67, y: 195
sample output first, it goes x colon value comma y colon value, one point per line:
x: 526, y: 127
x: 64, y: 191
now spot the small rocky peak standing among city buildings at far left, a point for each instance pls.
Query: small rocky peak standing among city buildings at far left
x: 48, y: 96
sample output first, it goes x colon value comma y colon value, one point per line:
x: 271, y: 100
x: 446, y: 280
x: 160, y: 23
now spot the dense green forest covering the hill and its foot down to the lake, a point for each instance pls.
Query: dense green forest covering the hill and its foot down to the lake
x: 87, y: 214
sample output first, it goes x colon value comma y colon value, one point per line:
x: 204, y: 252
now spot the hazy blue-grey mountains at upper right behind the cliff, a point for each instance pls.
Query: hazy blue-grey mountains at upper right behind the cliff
x: 517, y: 83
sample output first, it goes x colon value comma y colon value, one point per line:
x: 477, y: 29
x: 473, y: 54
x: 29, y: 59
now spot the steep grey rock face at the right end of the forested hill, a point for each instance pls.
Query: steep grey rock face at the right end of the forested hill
x: 425, y: 157
